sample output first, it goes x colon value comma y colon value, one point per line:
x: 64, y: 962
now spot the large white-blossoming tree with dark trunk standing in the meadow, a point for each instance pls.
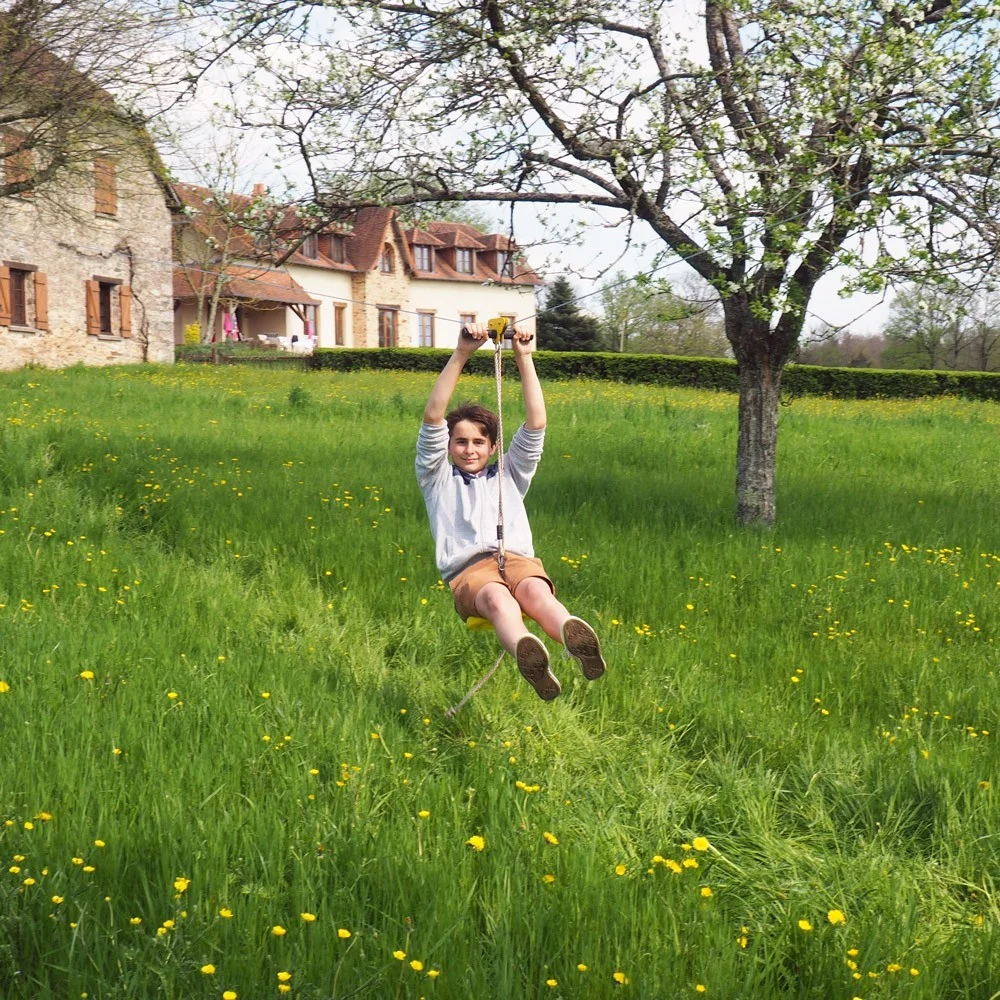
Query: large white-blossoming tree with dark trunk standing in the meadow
x: 794, y: 127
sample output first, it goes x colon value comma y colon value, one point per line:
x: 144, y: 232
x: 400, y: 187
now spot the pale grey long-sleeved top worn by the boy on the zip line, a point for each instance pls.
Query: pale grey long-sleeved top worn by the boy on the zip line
x: 463, y: 508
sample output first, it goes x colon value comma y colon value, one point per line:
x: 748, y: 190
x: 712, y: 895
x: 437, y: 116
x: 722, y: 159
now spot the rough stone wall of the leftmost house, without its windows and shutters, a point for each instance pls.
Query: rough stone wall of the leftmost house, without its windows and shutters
x: 58, y: 232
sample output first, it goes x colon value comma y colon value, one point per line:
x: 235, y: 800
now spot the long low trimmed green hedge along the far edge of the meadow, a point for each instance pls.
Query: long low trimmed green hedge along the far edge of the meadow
x: 700, y: 373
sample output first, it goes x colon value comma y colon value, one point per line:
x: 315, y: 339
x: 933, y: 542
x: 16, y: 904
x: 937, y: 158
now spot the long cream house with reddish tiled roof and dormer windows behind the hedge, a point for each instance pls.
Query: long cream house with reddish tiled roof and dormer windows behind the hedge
x: 367, y: 283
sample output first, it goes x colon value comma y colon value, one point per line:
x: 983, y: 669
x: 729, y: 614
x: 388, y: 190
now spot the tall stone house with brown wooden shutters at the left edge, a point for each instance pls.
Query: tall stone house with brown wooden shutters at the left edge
x: 84, y: 273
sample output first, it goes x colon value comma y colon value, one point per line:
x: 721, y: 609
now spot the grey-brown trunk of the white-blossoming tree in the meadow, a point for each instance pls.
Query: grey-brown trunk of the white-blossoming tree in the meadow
x: 761, y: 354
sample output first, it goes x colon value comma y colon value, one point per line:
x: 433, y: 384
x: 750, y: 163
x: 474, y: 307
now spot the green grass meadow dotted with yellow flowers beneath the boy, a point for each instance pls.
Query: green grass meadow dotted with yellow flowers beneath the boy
x: 226, y: 656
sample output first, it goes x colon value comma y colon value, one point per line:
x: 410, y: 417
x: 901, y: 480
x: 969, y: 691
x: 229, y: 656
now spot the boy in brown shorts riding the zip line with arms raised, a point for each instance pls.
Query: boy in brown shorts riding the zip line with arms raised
x: 462, y: 505
